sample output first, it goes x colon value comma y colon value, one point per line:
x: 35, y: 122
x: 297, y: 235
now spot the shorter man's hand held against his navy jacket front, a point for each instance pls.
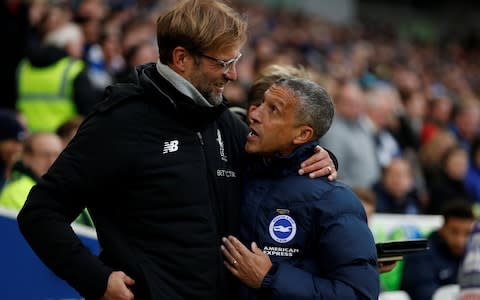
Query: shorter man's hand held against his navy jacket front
x: 249, y: 266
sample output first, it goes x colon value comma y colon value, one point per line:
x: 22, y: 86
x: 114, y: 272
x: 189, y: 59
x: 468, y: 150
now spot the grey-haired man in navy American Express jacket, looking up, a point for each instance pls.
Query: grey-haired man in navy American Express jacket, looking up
x: 307, y: 238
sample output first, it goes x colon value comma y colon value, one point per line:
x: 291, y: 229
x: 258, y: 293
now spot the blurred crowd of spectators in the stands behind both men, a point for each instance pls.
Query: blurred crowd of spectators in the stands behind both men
x: 406, y: 129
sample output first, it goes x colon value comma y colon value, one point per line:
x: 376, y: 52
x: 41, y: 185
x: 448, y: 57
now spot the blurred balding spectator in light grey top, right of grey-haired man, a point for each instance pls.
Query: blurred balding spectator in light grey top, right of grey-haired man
x: 351, y: 140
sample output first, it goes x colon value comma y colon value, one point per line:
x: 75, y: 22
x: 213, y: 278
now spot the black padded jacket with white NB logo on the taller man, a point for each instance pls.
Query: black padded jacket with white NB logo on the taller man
x: 161, y: 179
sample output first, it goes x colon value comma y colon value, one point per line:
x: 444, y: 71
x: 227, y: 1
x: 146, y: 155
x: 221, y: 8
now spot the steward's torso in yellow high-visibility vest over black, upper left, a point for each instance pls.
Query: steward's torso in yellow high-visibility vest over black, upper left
x: 52, y: 88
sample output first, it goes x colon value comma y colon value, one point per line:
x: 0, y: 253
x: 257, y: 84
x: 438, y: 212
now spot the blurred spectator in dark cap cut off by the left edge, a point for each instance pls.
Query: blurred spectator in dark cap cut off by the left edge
x: 12, y: 134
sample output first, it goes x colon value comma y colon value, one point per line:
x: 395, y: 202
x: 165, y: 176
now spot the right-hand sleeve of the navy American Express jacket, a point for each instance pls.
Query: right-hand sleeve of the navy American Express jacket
x: 346, y: 254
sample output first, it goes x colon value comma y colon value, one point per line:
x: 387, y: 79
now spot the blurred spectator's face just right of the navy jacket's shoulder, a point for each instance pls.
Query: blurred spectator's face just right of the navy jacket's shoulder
x: 398, y: 178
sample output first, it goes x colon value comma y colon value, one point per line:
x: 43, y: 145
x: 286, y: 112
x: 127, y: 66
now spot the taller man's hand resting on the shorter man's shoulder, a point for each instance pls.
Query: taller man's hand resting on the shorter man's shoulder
x: 318, y: 165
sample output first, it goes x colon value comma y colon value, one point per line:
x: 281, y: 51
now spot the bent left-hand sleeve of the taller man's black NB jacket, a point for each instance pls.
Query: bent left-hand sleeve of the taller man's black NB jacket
x: 81, y: 177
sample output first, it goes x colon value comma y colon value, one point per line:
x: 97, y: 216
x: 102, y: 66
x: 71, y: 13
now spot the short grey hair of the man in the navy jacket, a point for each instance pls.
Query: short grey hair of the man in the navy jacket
x: 315, y: 107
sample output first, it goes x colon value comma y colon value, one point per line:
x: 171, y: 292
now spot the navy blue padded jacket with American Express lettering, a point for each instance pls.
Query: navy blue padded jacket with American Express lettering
x: 315, y: 232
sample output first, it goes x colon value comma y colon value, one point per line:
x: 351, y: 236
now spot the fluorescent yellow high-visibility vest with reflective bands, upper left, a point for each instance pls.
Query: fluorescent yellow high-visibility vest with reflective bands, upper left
x: 45, y: 94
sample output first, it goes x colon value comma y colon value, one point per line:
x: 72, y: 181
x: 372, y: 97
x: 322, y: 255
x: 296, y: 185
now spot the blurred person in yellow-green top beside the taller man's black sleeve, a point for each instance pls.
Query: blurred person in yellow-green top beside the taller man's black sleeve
x: 40, y: 151
